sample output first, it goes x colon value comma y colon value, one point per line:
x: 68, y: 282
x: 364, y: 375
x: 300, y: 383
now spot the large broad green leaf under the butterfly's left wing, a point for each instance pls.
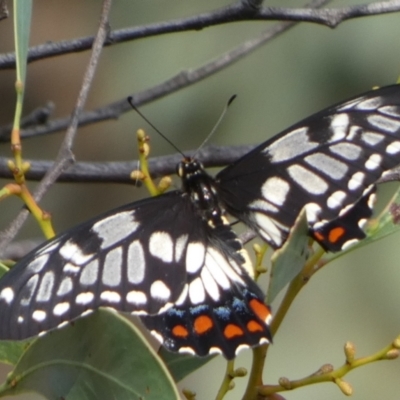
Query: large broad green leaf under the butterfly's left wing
x: 99, y: 357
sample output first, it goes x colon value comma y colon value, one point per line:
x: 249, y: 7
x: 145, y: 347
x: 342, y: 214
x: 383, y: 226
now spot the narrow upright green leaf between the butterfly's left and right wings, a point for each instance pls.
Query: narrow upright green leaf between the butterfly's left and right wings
x: 289, y: 260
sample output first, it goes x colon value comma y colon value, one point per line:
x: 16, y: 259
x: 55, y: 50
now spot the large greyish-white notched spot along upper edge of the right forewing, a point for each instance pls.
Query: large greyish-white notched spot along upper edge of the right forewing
x: 291, y: 145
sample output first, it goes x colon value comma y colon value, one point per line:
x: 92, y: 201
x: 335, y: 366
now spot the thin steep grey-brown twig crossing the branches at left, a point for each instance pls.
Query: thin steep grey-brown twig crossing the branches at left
x: 65, y: 156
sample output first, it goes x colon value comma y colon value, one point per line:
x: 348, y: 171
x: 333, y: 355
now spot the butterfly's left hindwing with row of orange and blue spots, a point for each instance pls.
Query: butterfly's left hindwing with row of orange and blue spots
x: 223, y: 310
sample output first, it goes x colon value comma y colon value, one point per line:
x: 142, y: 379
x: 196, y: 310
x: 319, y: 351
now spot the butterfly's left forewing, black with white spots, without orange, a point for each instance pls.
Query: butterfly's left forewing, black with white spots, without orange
x: 131, y: 259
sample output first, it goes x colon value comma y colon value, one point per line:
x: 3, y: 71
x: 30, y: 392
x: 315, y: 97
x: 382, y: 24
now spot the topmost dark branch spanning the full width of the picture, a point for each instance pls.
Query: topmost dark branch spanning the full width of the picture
x: 242, y: 11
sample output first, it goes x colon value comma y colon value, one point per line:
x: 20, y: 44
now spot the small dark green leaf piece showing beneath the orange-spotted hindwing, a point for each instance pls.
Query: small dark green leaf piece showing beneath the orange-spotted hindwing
x: 181, y: 365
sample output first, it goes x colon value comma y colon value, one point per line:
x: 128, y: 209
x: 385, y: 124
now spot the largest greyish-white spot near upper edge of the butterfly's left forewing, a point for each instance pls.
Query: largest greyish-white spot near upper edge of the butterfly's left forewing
x: 115, y: 228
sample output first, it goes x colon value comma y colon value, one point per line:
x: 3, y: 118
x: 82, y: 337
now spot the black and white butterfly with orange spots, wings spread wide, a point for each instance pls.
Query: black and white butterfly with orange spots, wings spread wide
x: 174, y: 259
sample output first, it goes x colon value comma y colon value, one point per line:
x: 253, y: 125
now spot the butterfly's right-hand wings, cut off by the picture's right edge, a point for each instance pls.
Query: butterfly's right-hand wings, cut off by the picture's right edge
x: 328, y: 163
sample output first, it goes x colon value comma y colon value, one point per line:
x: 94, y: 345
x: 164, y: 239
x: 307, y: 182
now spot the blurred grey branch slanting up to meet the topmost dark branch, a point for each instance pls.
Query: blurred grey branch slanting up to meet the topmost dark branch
x: 177, y: 82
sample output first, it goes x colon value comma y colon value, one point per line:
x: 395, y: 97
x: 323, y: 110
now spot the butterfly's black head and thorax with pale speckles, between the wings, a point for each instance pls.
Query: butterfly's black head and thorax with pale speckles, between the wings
x: 201, y: 188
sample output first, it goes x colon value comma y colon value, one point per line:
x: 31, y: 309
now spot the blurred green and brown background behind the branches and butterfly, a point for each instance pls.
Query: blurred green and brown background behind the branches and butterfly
x: 298, y: 73
